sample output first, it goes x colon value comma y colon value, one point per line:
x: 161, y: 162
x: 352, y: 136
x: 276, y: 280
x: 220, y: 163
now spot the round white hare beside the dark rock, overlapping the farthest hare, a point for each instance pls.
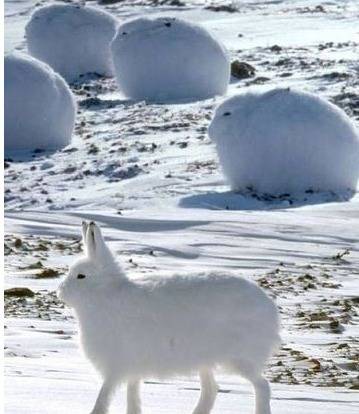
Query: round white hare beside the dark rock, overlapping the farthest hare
x: 169, y: 59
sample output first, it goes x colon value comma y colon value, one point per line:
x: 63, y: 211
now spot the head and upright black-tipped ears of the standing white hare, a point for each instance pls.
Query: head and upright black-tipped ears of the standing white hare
x: 88, y: 275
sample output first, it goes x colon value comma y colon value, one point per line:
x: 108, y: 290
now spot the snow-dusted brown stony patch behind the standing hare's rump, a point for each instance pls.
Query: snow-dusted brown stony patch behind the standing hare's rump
x: 312, y: 300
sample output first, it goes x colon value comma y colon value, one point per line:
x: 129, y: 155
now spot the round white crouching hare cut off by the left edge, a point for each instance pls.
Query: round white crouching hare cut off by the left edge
x: 39, y: 106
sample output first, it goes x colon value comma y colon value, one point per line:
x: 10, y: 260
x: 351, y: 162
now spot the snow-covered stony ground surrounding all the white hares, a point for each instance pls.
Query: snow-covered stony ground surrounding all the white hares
x: 150, y: 176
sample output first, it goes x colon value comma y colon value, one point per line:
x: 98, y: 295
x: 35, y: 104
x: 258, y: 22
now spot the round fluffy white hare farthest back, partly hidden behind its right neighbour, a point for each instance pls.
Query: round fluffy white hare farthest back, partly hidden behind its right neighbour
x: 72, y: 39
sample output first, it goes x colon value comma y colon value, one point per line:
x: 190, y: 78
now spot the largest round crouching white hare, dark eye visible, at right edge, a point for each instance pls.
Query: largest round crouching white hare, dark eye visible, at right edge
x: 285, y: 141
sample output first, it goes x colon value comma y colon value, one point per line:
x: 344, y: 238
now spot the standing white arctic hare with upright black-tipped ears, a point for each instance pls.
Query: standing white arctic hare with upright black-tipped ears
x: 159, y: 327
